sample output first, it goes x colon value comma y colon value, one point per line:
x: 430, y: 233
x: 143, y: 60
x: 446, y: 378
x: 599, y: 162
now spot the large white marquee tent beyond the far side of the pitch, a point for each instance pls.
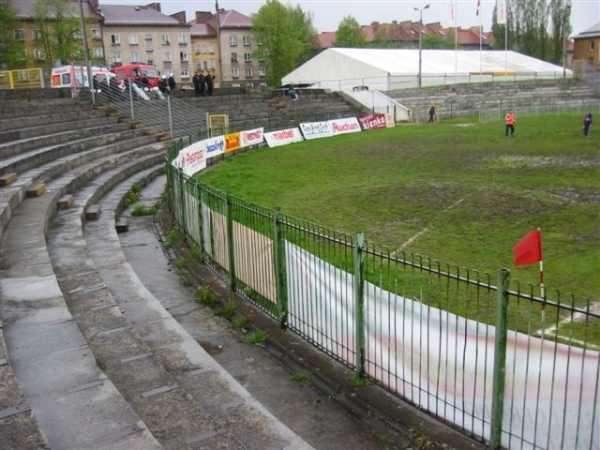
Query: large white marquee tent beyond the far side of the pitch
x: 342, y: 69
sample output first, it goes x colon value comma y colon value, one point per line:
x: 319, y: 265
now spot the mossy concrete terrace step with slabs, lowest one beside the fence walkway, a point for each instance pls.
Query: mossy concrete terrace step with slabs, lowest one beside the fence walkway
x: 166, y: 358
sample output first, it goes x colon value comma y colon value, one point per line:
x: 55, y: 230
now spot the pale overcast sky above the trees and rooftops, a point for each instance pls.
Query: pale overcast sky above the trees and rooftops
x: 327, y: 14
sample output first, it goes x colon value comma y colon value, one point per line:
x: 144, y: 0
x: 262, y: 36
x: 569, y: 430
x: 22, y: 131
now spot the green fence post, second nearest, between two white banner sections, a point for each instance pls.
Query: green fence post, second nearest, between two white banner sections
x: 359, y: 313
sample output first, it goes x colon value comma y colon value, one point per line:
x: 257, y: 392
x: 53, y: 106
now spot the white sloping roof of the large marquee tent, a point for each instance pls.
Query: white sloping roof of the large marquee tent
x: 356, y: 63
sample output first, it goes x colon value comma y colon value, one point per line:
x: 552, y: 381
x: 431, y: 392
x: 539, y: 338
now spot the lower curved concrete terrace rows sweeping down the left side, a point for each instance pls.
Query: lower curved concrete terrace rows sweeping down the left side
x: 100, y: 363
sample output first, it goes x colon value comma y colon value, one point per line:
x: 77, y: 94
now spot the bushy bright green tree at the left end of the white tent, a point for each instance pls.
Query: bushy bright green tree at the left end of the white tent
x: 282, y: 30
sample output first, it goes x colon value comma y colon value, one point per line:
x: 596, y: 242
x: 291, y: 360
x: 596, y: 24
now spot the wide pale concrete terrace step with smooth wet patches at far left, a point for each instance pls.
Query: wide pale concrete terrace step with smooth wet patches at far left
x: 75, y: 404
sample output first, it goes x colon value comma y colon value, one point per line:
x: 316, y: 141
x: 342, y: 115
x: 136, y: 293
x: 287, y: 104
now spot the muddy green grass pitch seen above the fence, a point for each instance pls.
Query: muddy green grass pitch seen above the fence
x: 458, y: 192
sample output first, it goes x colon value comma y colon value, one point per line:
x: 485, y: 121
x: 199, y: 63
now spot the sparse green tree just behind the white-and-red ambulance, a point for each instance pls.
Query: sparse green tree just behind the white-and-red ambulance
x: 60, y: 30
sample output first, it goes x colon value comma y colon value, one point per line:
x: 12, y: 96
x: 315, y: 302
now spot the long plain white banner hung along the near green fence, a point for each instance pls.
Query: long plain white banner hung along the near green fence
x: 444, y: 362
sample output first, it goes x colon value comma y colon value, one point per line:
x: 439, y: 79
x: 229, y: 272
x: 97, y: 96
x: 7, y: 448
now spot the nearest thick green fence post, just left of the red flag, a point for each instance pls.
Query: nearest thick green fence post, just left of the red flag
x: 499, y: 359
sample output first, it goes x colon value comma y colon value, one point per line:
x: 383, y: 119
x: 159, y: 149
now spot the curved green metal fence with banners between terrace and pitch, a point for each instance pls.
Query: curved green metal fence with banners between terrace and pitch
x: 484, y: 354
